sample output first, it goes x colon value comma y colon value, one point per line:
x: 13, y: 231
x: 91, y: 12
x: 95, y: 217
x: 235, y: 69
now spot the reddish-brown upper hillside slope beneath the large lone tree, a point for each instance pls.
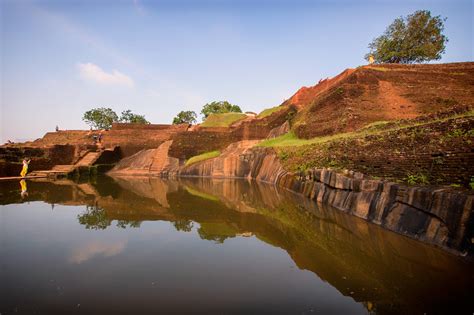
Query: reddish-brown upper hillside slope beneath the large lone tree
x: 368, y: 94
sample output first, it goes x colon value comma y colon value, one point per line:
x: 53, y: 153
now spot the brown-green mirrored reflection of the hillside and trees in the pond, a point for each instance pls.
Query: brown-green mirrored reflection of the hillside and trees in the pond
x: 386, y: 272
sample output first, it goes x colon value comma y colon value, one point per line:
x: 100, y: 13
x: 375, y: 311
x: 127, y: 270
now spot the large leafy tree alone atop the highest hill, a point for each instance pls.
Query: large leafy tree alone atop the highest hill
x: 415, y: 38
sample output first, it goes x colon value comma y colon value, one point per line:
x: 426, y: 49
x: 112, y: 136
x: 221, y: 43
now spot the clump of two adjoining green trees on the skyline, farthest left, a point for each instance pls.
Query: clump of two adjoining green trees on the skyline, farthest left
x: 102, y: 118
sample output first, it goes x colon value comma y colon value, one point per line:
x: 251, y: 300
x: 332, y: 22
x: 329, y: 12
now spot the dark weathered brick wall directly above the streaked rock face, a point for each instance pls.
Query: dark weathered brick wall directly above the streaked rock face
x: 441, y: 151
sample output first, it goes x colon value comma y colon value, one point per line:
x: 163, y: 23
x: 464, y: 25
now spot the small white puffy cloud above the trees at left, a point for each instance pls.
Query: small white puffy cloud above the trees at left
x: 94, y: 73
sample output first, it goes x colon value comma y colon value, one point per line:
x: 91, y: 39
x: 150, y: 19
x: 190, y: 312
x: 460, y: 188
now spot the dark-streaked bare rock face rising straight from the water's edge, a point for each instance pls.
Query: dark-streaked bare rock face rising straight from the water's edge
x: 439, y: 216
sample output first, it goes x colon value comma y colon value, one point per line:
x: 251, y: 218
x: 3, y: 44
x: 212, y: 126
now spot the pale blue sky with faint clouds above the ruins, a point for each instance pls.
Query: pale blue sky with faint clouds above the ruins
x: 62, y: 58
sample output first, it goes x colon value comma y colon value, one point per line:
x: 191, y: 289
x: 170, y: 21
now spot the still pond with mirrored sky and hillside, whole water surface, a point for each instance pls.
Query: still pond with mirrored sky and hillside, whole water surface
x: 140, y: 245
